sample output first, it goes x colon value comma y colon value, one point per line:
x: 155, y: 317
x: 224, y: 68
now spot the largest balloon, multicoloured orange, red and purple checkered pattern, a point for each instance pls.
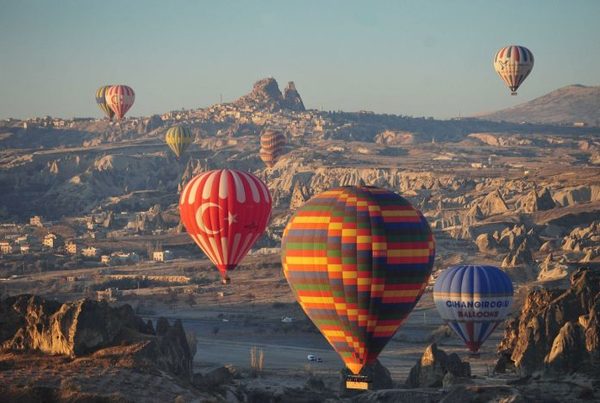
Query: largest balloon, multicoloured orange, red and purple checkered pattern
x: 357, y: 260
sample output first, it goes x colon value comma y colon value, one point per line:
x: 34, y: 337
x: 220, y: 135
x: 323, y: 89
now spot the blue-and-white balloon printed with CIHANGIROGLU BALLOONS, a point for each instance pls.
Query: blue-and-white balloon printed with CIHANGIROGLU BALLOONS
x: 473, y: 300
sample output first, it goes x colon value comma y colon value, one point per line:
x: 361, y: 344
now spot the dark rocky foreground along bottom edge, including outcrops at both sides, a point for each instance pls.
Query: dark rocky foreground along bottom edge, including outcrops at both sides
x: 88, y: 351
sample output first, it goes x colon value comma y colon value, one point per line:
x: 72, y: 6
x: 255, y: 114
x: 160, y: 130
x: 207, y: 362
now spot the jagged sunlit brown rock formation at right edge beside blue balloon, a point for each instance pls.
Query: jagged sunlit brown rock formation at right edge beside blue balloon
x: 557, y: 330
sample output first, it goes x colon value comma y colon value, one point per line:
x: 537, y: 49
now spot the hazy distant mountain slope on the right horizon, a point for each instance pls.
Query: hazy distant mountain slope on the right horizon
x: 566, y: 105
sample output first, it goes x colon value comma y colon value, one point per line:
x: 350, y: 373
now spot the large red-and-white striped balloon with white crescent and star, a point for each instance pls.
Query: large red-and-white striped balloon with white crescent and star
x: 225, y: 211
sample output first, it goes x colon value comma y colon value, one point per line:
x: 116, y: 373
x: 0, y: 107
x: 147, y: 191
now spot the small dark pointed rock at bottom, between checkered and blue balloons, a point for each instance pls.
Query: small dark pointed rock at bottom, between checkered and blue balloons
x: 435, y: 366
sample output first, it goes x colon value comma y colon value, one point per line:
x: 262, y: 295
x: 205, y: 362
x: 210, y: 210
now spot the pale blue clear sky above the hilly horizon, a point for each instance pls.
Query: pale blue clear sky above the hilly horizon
x: 422, y: 58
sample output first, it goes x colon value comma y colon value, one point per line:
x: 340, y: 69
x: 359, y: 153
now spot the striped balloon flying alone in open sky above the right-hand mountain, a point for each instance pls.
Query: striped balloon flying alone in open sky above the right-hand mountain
x: 513, y: 64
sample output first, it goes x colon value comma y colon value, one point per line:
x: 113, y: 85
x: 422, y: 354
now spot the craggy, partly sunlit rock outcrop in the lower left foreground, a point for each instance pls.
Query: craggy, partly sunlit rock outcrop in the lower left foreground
x: 85, y: 327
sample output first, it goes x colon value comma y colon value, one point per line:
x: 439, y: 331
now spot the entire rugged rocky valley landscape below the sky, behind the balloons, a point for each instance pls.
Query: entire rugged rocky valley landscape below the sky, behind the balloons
x: 523, y: 197
